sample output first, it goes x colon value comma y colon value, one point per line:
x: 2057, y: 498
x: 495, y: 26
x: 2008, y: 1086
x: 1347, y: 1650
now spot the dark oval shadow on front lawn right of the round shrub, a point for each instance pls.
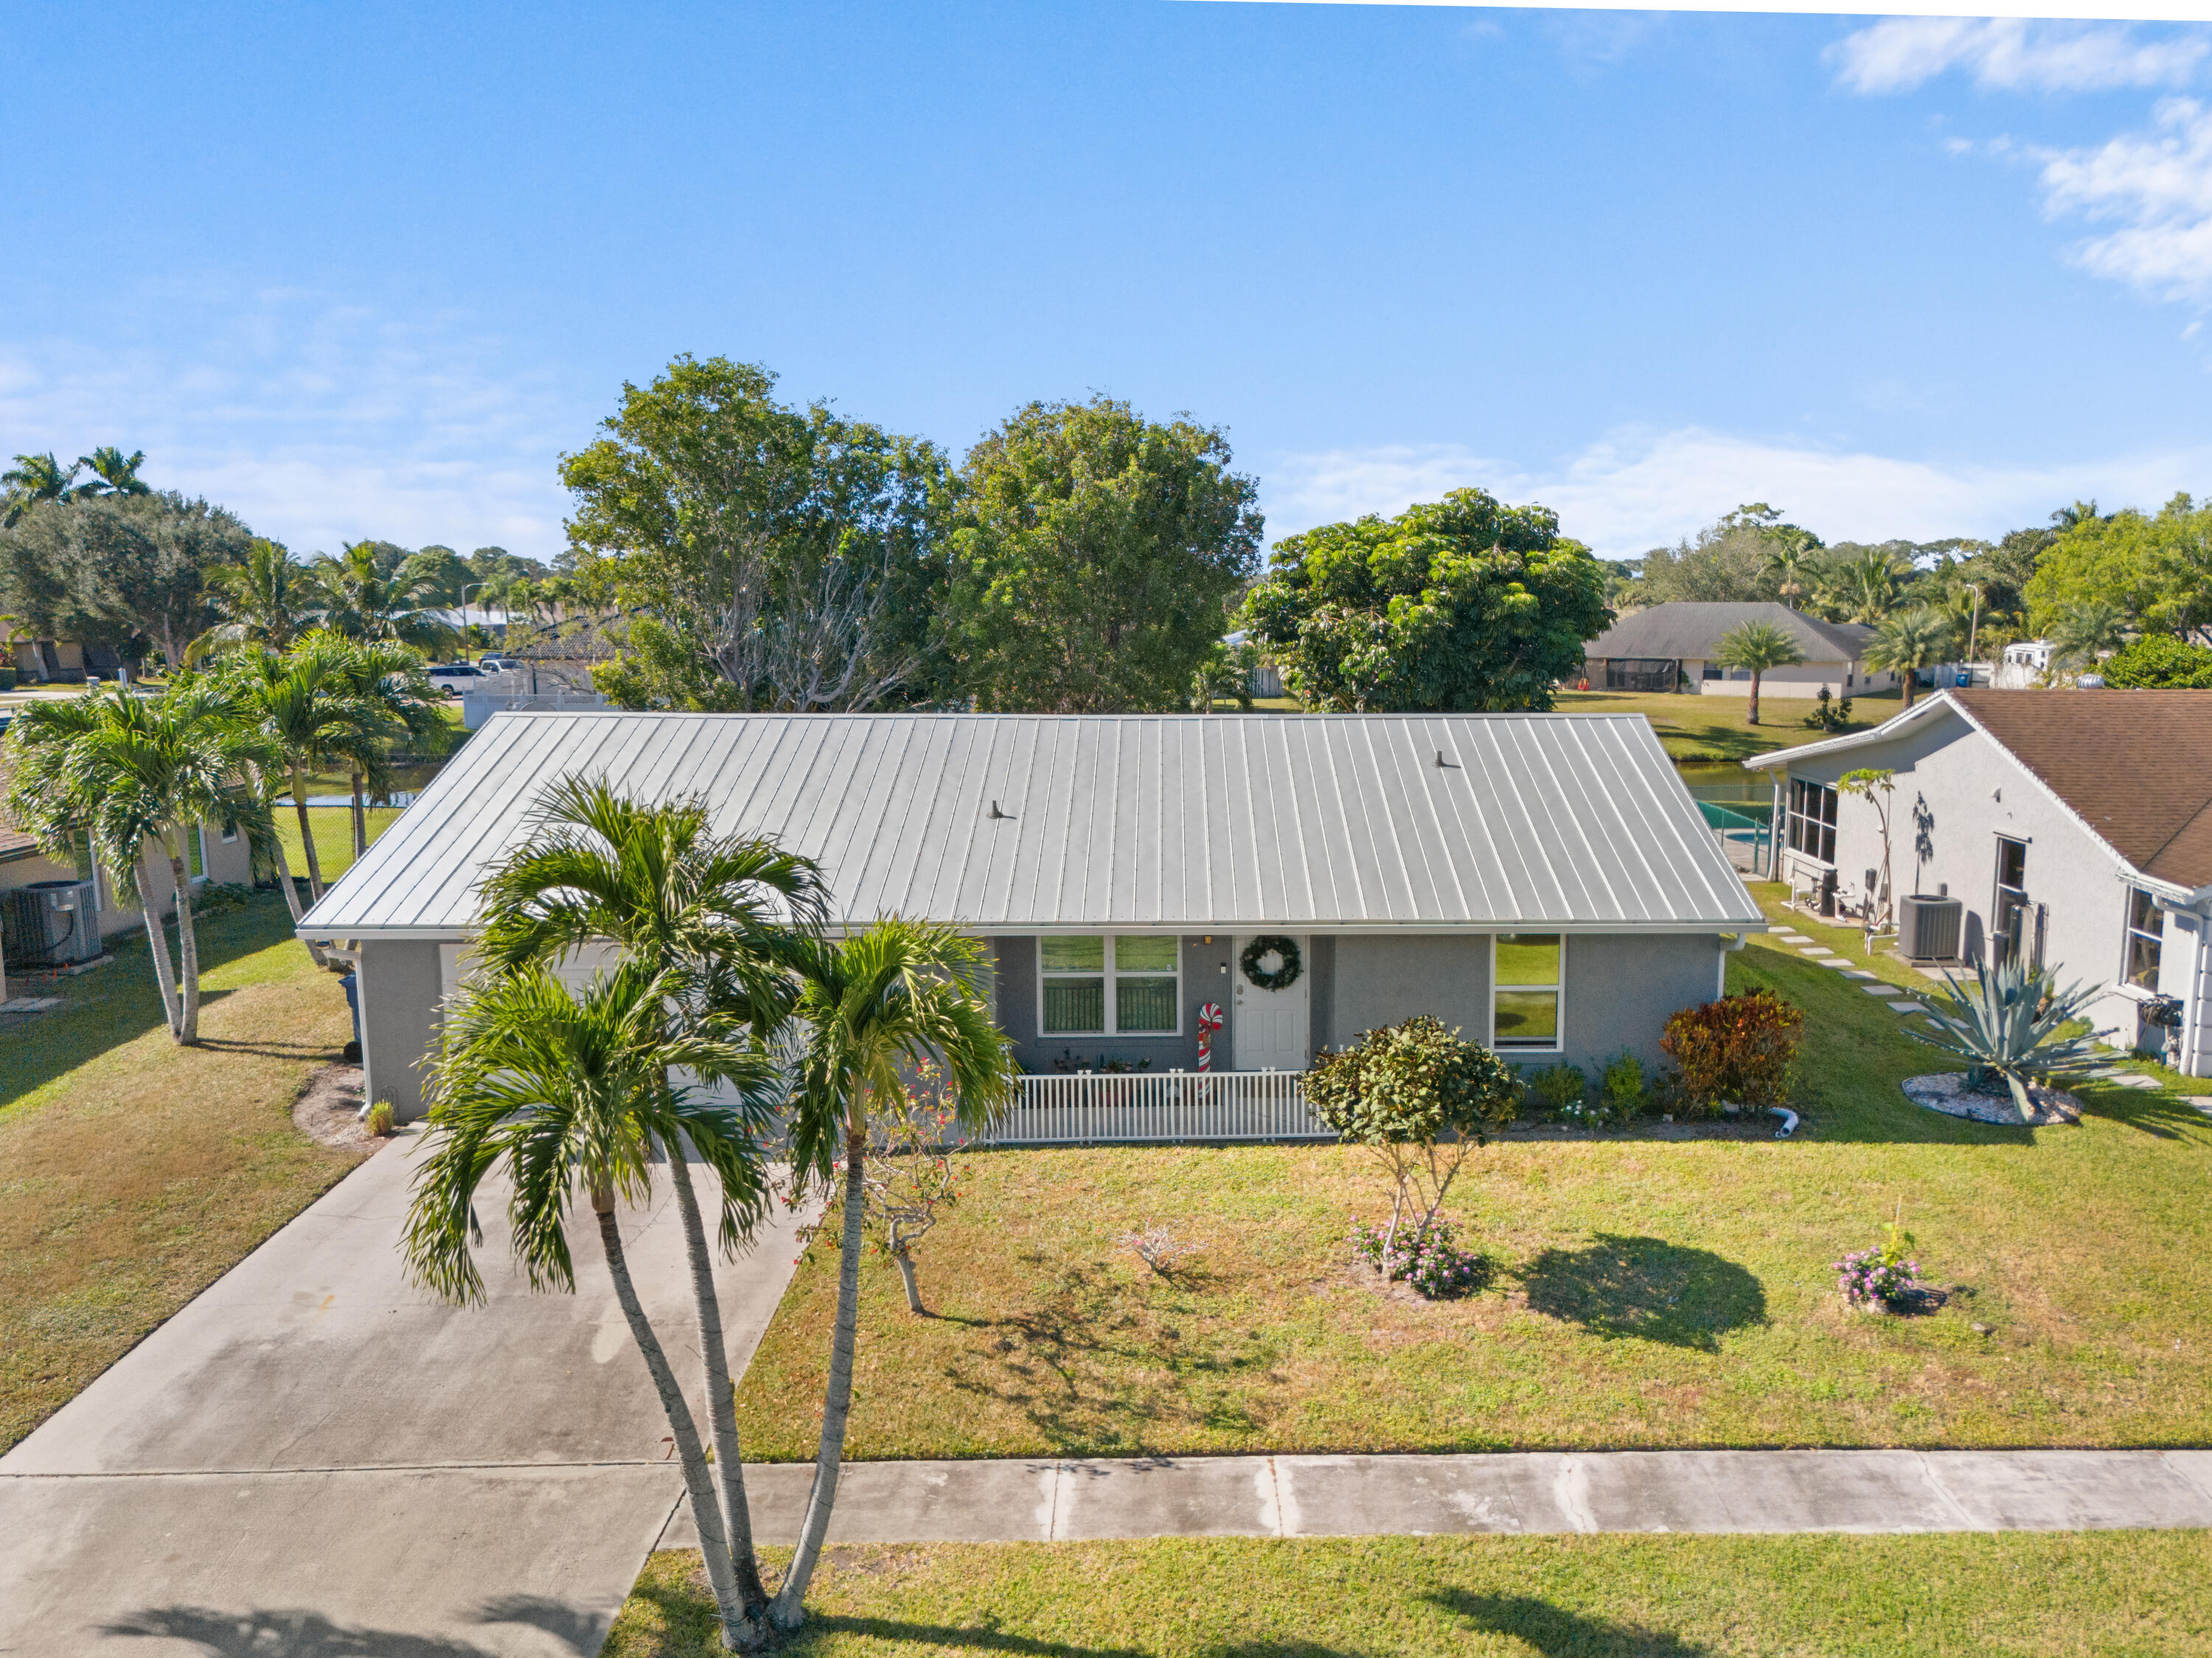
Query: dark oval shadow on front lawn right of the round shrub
x: 1647, y: 1288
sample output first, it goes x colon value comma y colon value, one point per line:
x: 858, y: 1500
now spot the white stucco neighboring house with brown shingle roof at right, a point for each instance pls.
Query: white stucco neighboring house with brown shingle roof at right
x: 2076, y: 830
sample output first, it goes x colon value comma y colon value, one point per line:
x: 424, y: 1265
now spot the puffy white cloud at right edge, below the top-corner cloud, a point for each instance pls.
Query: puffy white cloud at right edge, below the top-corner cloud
x: 2160, y: 187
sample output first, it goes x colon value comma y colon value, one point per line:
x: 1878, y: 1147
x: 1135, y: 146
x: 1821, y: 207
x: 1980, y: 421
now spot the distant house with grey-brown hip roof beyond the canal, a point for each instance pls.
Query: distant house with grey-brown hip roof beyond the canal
x: 1671, y: 647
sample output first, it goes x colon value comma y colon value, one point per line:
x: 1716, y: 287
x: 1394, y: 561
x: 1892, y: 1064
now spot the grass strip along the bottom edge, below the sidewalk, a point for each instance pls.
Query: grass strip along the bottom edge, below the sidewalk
x: 1519, y: 1597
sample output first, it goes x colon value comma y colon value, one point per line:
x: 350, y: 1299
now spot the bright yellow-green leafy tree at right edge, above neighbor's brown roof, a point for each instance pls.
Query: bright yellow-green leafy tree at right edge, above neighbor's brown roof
x: 2156, y: 569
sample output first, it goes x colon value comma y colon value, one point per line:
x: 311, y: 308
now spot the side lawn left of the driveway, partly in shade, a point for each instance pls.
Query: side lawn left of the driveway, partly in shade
x: 134, y: 1173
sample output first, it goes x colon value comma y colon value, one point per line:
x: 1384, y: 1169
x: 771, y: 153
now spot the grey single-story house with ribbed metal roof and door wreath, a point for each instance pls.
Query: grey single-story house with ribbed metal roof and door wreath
x: 1543, y: 883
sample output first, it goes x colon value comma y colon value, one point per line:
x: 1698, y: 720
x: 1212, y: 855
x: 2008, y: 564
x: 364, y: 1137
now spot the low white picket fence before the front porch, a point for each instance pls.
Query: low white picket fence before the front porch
x: 1158, y: 1109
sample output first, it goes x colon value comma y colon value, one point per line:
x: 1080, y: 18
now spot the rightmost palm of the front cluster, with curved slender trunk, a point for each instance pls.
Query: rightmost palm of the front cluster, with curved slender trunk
x: 886, y: 998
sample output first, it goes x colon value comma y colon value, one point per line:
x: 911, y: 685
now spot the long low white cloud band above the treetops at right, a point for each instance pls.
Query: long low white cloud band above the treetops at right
x: 1642, y: 490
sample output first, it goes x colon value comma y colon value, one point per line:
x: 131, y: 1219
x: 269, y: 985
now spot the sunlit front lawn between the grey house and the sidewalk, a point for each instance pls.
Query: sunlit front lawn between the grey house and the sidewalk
x: 1651, y: 1292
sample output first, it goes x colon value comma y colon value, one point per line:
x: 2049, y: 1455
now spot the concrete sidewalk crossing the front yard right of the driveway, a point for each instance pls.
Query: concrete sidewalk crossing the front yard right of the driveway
x: 1618, y: 1491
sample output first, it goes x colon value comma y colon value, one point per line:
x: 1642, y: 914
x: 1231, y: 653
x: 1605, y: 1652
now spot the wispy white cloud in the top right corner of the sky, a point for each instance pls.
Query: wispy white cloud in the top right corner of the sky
x: 2010, y: 54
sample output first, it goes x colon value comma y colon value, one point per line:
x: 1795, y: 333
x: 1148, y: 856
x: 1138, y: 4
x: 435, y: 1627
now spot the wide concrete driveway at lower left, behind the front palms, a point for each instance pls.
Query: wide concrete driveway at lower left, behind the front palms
x: 315, y: 1458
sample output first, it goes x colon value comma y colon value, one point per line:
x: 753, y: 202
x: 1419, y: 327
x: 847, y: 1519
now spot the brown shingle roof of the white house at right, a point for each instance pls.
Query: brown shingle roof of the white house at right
x: 2136, y: 766
